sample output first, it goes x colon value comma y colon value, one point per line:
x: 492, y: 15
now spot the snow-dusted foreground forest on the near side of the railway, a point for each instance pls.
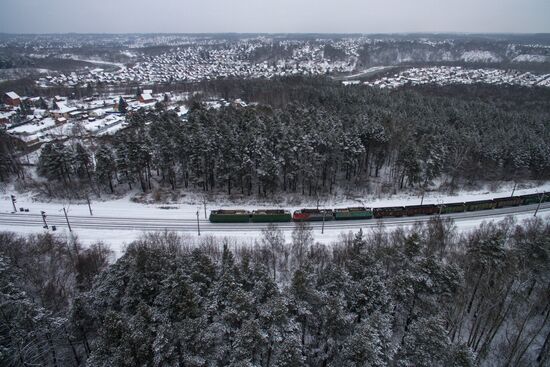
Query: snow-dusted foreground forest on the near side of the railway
x: 426, y: 296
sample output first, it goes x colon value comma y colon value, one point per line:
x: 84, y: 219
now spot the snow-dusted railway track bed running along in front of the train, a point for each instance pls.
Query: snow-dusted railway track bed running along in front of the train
x: 10, y: 221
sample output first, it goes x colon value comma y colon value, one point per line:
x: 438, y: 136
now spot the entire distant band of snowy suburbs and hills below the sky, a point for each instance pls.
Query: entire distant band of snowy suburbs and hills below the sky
x: 149, y: 60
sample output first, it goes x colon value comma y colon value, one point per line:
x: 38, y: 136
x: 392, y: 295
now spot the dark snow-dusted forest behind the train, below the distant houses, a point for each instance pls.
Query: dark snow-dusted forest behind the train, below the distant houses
x: 331, y: 136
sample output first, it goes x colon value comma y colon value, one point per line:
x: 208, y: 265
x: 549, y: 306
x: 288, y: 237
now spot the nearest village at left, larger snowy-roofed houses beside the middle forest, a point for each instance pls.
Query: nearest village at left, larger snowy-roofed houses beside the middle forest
x: 37, y: 120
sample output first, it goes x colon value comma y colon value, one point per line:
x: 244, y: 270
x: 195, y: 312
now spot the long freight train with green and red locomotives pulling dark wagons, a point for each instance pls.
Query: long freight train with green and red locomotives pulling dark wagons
x: 309, y: 215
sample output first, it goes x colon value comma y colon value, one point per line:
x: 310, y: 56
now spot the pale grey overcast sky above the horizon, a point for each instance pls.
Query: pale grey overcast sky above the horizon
x: 285, y: 16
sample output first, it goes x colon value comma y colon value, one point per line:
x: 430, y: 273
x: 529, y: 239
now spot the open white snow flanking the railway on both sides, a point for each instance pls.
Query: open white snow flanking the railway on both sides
x: 187, y: 208
